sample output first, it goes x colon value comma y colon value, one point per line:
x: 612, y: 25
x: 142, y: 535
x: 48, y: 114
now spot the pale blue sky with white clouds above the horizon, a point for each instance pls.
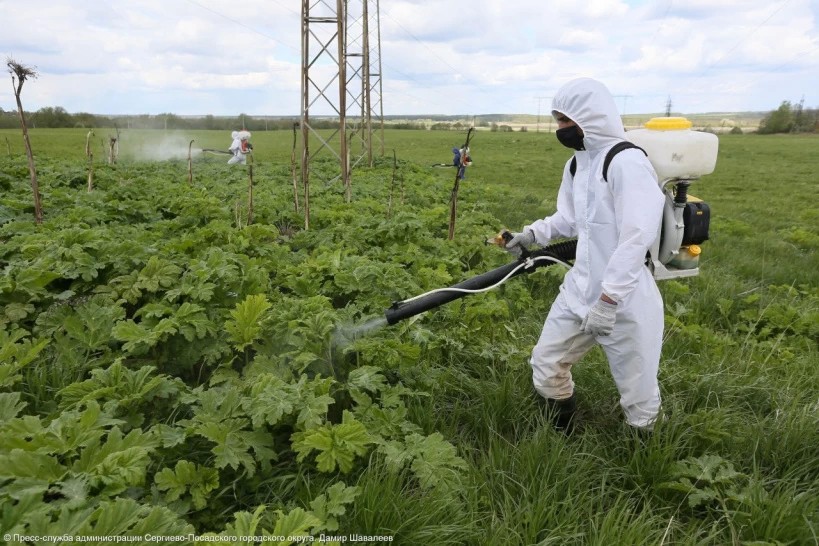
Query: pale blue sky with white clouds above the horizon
x: 221, y: 57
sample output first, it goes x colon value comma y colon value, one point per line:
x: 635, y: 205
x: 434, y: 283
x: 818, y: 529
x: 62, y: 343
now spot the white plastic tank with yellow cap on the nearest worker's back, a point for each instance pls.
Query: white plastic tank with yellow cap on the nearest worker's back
x: 674, y: 149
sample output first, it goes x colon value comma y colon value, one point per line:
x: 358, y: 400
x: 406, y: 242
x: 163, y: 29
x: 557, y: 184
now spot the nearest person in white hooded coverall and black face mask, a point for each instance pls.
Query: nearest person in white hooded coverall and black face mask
x: 609, y: 296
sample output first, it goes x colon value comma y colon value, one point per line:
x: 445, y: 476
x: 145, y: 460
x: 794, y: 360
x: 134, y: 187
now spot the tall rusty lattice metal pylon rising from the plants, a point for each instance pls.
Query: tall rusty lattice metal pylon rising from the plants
x: 341, y: 78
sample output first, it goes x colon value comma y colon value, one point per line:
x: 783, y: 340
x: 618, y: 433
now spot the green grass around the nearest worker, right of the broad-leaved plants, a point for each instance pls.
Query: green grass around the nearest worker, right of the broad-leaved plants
x: 739, y: 374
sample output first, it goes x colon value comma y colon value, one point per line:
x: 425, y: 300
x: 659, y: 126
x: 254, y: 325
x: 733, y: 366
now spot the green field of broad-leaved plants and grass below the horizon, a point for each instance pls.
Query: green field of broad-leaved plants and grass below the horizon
x: 168, y: 368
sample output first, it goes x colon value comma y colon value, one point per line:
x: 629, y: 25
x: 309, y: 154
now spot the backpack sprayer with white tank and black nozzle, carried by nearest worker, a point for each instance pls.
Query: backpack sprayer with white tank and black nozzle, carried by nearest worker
x: 679, y: 157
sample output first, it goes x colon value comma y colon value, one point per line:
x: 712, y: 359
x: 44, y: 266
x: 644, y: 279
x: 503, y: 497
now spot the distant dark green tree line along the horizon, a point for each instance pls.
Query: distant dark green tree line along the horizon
x: 787, y: 118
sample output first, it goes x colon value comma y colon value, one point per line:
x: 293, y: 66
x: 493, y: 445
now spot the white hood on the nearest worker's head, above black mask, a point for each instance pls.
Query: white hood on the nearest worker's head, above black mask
x: 589, y: 104
